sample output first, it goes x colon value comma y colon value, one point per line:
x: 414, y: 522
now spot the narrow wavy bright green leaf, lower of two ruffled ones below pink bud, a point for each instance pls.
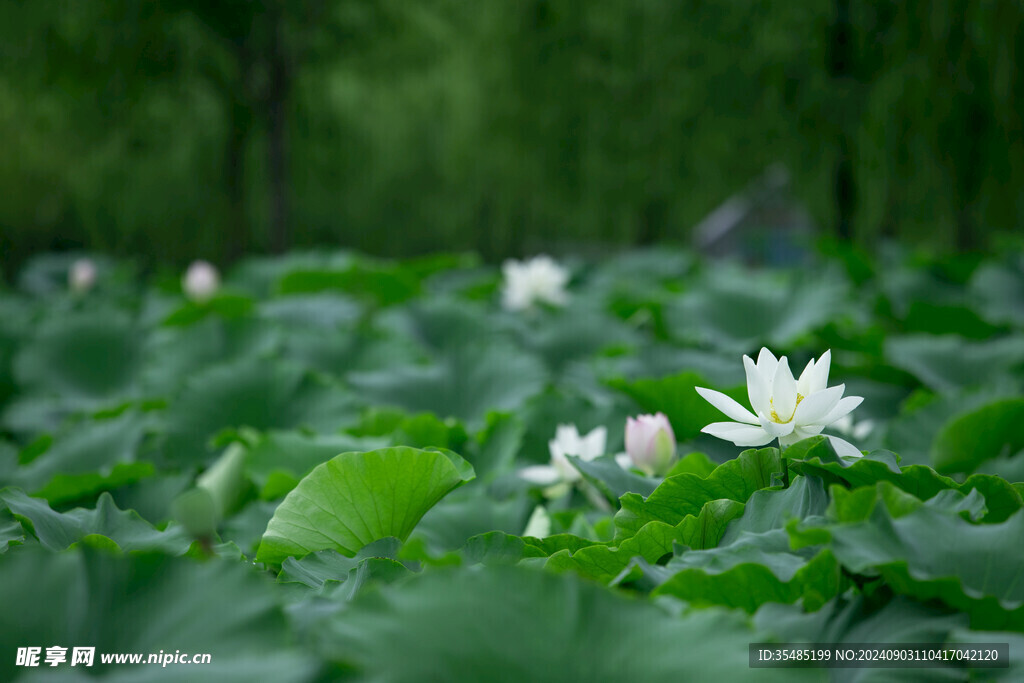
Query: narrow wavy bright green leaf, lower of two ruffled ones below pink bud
x: 655, y: 540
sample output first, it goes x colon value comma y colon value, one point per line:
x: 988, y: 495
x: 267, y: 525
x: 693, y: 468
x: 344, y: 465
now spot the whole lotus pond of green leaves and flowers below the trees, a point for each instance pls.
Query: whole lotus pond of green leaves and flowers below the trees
x: 329, y: 467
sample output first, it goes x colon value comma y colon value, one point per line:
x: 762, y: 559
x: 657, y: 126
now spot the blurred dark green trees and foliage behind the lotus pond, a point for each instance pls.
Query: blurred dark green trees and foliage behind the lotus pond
x: 182, y: 129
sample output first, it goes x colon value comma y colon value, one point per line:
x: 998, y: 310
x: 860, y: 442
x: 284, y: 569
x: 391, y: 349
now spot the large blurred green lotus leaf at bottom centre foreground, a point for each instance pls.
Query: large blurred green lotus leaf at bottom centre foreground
x: 513, y: 624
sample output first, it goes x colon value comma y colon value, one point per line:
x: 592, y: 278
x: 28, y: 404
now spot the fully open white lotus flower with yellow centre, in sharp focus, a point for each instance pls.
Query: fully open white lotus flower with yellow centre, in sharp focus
x: 787, y: 409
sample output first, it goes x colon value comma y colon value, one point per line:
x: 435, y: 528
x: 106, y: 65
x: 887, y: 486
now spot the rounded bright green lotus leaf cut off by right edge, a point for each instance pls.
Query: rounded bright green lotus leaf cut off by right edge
x: 996, y: 430
